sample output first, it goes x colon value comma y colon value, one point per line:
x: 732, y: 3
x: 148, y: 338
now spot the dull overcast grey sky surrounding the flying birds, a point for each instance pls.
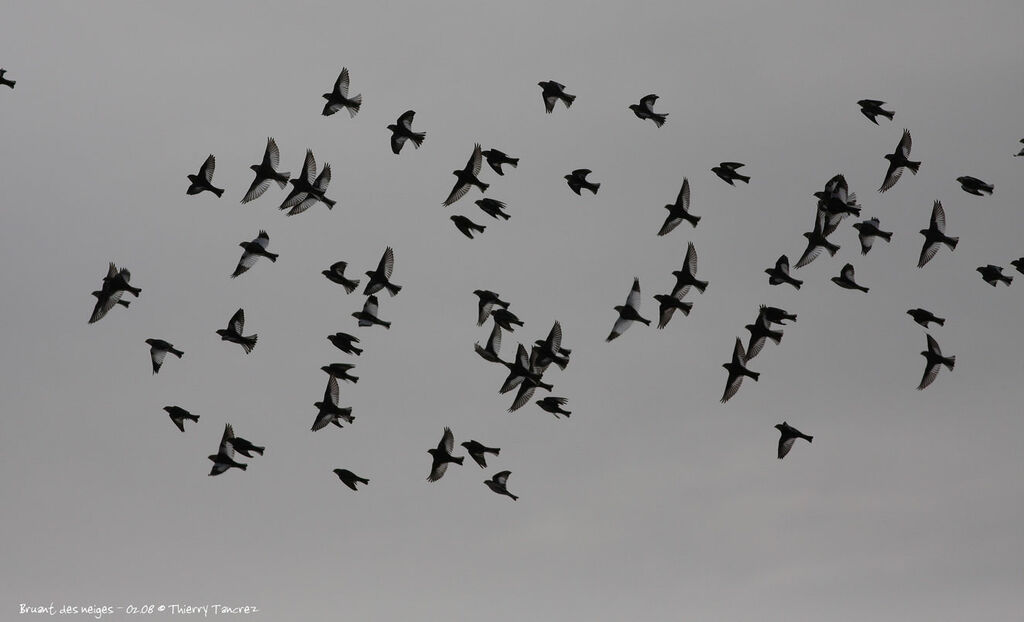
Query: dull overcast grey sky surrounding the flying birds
x: 654, y: 502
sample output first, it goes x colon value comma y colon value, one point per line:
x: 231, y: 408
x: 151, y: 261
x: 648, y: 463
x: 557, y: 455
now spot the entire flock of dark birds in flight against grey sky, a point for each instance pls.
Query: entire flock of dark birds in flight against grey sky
x: 527, y: 369
